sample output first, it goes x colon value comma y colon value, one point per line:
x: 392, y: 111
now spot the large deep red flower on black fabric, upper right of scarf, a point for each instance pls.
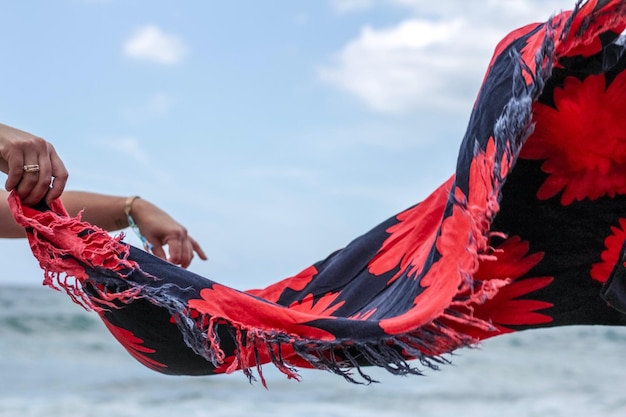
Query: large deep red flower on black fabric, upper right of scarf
x: 581, y: 140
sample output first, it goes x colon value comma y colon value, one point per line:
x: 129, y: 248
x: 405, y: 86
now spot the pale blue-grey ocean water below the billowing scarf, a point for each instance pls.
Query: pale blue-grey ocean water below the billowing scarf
x: 58, y: 360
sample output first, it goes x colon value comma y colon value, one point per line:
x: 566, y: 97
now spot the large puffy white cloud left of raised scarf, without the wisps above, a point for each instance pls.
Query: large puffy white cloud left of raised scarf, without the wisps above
x: 415, y: 64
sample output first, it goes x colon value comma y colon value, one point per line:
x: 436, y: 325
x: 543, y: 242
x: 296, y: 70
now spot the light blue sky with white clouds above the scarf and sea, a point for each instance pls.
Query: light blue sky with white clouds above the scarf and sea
x: 275, y: 132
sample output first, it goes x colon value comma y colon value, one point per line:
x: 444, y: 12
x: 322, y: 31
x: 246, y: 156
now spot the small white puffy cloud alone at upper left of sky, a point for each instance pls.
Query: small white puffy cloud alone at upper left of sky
x: 150, y: 43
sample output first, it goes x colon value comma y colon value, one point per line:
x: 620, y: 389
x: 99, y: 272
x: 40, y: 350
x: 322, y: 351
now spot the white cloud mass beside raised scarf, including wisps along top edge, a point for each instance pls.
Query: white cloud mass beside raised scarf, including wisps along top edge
x: 435, y: 58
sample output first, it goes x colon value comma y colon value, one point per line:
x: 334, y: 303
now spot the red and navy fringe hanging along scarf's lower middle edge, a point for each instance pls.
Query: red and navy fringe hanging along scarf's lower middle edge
x: 347, y: 358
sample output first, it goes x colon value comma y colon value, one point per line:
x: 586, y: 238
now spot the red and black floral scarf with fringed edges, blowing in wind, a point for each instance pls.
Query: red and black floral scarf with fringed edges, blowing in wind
x: 529, y: 232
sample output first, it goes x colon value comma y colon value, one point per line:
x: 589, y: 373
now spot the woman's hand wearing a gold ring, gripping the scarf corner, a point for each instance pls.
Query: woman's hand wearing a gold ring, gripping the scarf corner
x: 33, y: 167
